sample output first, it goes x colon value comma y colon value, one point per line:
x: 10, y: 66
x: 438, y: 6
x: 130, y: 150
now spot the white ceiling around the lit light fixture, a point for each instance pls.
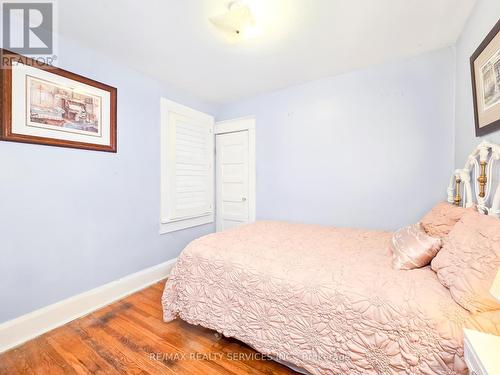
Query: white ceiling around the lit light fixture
x: 301, y: 40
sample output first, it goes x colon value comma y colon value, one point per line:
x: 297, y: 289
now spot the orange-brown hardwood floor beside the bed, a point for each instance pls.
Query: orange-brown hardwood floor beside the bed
x: 130, y: 337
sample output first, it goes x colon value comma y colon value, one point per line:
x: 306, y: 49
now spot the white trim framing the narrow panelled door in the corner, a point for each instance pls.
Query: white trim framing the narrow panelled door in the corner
x: 237, y: 125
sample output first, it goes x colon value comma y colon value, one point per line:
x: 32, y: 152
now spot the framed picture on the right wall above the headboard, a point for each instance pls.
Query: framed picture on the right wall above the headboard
x: 485, y: 69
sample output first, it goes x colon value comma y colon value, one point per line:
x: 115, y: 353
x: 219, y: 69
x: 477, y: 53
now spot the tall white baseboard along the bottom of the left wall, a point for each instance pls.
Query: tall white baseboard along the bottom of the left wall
x: 26, y: 327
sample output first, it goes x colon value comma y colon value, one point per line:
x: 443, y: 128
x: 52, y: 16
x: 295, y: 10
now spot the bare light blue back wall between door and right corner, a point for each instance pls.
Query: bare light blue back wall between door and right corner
x: 371, y: 149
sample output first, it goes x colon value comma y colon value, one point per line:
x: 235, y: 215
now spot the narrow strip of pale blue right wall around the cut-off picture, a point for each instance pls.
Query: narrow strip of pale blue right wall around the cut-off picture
x: 486, y: 13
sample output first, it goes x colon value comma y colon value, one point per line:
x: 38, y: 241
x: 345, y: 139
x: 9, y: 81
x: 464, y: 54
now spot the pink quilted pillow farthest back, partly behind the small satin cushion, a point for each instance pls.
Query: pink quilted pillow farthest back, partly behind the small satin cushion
x: 442, y: 218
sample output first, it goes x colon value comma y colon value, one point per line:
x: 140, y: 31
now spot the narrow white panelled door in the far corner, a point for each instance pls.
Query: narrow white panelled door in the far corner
x: 235, y: 178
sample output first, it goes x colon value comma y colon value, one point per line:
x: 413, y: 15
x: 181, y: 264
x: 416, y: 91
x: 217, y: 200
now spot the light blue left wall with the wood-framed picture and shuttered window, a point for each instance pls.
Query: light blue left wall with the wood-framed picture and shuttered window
x: 72, y: 220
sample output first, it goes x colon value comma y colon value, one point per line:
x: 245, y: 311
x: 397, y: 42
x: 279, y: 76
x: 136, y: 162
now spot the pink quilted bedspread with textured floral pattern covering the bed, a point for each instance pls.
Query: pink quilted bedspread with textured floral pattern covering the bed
x: 322, y: 298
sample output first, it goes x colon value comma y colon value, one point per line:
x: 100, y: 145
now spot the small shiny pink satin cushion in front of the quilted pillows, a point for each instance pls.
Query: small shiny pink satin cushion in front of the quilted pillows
x: 413, y: 248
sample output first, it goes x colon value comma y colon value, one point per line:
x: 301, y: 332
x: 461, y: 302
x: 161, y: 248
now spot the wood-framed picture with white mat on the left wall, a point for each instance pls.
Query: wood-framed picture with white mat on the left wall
x: 46, y: 105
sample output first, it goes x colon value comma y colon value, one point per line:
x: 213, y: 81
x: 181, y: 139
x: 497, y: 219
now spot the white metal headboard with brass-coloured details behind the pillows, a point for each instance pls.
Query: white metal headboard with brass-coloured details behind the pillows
x: 479, y: 181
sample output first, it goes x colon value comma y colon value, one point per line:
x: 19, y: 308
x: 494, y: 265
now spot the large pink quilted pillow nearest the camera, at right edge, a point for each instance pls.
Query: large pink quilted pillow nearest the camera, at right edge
x: 468, y: 261
